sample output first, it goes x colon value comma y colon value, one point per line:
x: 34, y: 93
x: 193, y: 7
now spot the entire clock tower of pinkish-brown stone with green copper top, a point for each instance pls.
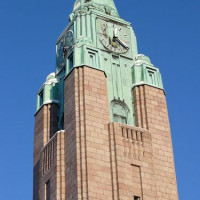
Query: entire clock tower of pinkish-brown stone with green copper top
x: 101, y: 125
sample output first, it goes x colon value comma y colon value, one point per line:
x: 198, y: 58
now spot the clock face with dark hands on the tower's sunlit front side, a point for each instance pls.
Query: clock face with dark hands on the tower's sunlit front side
x: 114, y: 37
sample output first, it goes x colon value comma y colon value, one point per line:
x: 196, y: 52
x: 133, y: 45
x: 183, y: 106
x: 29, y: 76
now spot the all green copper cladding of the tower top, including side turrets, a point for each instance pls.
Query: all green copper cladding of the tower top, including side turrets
x: 81, y: 44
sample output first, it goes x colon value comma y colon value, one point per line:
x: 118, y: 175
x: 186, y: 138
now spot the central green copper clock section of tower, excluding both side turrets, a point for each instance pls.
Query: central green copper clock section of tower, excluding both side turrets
x: 96, y: 37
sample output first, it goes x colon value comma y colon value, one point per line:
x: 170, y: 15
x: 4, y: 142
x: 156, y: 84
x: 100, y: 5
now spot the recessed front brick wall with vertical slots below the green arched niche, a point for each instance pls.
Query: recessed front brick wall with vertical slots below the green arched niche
x: 132, y: 164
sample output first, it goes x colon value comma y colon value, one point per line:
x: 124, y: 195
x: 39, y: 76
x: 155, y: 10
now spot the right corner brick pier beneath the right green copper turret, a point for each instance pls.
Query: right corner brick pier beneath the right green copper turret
x: 152, y: 114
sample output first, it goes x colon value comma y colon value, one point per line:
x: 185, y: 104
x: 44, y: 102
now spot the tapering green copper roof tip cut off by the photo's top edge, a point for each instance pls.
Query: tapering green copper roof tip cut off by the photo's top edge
x: 107, y: 6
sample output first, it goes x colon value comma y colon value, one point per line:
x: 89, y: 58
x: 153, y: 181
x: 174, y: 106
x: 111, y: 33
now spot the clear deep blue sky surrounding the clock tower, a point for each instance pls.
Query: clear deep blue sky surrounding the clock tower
x: 167, y: 31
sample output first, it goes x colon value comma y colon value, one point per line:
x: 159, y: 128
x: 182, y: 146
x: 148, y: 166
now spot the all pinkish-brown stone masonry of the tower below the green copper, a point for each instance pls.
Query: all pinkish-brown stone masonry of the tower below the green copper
x: 97, y: 159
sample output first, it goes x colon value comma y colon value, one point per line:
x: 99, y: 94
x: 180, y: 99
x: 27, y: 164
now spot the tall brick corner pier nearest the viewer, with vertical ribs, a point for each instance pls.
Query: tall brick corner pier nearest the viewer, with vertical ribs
x: 88, y: 167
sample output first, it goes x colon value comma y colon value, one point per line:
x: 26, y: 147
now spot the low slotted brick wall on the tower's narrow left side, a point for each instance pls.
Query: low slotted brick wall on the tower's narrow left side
x: 52, y: 167
